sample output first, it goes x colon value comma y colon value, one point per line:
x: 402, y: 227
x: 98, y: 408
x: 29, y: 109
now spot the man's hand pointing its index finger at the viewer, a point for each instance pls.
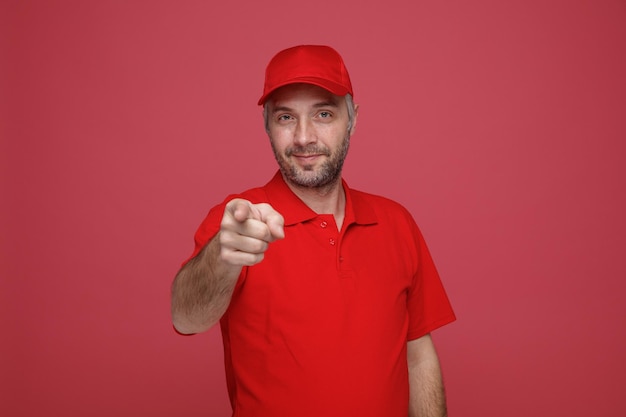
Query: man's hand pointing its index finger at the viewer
x: 247, y: 230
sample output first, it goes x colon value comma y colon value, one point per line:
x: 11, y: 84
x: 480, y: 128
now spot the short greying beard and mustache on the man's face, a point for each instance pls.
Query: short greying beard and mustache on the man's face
x: 308, y: 176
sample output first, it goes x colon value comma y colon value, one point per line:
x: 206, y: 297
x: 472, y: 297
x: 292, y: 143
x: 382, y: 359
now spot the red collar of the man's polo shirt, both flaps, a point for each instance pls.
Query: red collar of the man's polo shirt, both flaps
x: 296, y: 211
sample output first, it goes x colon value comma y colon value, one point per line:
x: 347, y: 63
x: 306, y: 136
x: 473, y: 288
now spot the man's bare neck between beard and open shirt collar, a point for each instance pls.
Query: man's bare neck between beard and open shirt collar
x: 329, y: 199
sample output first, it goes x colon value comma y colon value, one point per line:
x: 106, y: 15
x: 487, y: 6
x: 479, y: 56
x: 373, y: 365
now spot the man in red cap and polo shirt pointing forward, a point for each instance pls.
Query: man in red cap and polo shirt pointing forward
x: 326, y: 296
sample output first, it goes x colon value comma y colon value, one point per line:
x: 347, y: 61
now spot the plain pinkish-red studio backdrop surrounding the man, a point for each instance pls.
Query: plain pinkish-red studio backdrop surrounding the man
x: 500, y: 125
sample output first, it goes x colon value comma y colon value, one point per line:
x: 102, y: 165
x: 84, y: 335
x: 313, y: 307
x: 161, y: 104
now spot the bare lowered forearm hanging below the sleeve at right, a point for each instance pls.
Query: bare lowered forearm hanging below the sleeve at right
x: 427, y: 395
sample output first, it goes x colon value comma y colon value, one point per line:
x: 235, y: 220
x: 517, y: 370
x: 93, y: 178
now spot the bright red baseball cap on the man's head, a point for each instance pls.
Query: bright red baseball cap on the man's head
x: 309, y: 64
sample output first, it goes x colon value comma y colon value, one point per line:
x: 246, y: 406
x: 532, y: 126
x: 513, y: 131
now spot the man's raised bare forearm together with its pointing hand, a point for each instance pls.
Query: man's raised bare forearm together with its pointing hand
x: 203, y: 287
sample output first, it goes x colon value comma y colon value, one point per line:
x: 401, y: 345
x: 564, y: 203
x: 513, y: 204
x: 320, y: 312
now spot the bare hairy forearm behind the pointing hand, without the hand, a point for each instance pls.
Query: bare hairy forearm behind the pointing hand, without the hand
x: 202, y: 290
